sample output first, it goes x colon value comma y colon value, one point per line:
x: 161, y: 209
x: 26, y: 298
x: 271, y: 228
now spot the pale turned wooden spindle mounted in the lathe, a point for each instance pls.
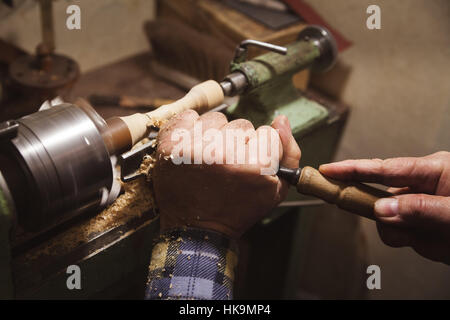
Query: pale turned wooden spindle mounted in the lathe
x: 201, y: 98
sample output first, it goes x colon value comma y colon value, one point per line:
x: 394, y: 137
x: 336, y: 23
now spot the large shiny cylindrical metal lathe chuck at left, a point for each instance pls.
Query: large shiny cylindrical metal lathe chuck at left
x: 55, y: 164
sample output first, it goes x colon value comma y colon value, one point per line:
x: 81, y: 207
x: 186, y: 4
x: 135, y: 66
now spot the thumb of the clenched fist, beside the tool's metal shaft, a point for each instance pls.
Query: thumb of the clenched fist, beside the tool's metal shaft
x: 291, y: 150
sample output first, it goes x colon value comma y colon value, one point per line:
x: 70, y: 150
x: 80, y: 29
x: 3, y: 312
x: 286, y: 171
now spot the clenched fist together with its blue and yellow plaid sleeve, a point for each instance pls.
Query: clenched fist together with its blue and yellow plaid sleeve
x: 205, y: 205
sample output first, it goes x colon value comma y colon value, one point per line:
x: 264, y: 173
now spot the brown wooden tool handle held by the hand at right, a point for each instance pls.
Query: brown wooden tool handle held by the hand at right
x: 354, y: 197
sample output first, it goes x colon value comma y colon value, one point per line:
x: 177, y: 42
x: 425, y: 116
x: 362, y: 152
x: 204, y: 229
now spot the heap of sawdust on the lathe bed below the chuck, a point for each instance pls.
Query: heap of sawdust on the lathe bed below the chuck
x: 136, y: 200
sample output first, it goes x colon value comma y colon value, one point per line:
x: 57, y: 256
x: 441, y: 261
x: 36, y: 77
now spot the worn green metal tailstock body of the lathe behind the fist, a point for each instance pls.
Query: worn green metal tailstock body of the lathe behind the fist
x: 271, y: 91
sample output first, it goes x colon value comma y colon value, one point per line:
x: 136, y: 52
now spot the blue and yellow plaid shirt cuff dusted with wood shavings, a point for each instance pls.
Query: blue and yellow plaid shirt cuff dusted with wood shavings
x: 192, y: 264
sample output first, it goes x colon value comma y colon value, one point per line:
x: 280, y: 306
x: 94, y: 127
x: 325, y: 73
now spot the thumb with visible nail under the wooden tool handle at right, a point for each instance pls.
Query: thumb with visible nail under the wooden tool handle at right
x: 421, y: 211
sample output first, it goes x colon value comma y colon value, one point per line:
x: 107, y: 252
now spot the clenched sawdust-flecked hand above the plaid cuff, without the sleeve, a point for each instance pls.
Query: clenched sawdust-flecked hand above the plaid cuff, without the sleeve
x: 227, y: 198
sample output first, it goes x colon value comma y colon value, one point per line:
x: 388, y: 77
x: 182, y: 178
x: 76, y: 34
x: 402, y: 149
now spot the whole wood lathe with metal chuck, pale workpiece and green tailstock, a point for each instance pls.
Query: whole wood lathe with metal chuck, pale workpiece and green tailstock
x: 57, y: 169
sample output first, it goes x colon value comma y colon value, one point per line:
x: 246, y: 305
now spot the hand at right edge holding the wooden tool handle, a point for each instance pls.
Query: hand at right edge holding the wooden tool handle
x: 419, y: 214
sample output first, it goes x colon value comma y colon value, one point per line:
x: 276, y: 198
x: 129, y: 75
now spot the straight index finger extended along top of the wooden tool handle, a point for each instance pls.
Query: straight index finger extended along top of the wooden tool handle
x: 395, y: 172
